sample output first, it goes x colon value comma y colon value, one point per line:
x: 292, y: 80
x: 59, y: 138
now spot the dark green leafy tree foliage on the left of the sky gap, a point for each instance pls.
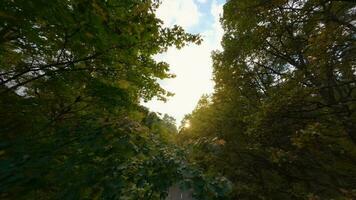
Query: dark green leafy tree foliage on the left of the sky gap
x: 72, y: 74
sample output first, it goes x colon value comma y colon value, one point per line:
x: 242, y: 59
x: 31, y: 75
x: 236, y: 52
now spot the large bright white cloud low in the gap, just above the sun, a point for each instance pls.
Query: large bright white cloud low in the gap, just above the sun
x: 192, y: 67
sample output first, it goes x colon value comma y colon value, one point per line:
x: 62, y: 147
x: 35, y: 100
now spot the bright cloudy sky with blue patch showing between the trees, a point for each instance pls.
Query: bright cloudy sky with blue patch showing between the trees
x: 192, y: 64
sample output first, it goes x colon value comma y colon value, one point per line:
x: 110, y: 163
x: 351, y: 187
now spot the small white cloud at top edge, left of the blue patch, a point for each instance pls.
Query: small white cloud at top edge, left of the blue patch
x: 182, y: 12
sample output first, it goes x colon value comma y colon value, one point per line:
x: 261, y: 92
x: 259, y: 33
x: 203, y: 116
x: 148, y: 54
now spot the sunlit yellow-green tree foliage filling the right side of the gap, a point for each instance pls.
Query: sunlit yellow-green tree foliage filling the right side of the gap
x: 281, y: 123
